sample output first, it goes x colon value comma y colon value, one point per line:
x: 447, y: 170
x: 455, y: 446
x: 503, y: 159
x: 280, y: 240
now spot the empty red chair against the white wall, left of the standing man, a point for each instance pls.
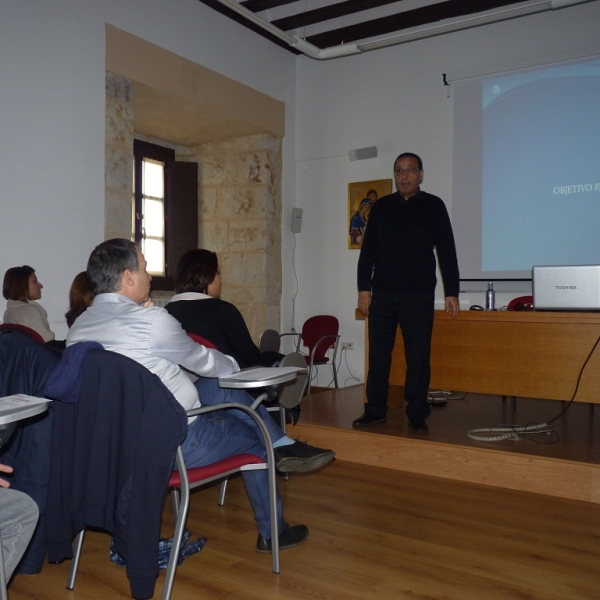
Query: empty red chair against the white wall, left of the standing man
x: 319, y: 335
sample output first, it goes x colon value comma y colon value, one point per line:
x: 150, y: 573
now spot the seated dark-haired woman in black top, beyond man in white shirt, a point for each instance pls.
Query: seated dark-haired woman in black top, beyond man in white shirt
x: 198, y: 307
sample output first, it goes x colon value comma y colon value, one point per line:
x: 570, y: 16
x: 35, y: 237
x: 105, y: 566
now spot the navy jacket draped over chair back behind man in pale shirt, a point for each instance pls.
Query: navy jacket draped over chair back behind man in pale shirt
x: 113, y: 452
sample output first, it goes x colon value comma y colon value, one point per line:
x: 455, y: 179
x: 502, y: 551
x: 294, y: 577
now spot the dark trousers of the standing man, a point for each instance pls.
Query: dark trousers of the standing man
x: 413, y: 311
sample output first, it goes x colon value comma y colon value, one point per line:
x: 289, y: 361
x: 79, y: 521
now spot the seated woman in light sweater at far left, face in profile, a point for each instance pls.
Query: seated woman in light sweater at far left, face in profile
x: 21, y: 289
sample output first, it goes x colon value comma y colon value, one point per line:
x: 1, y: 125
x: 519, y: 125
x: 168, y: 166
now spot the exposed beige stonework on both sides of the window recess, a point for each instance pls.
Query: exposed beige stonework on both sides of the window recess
x: 239, y: 195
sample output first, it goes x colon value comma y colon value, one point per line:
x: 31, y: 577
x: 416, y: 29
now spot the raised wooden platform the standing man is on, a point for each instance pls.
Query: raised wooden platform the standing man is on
x: 566, y: 465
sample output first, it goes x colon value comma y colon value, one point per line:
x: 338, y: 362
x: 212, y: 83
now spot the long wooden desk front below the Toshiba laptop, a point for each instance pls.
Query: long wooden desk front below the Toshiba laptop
x: 512, y: 353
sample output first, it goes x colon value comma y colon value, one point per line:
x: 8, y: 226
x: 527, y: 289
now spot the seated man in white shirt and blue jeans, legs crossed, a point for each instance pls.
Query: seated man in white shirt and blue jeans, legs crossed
x: 124, y: 320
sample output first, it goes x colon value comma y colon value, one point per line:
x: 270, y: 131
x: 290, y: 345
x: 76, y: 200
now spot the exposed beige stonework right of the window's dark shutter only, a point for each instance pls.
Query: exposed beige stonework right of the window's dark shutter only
x: 240, y: 219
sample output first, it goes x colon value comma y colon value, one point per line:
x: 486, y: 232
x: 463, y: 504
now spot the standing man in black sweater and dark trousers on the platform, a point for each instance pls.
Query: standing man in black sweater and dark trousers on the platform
x: 396, y: 286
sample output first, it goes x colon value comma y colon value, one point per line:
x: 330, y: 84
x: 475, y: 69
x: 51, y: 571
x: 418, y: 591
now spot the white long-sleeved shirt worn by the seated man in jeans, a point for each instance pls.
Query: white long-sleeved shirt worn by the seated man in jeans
x: 153, y: 338
